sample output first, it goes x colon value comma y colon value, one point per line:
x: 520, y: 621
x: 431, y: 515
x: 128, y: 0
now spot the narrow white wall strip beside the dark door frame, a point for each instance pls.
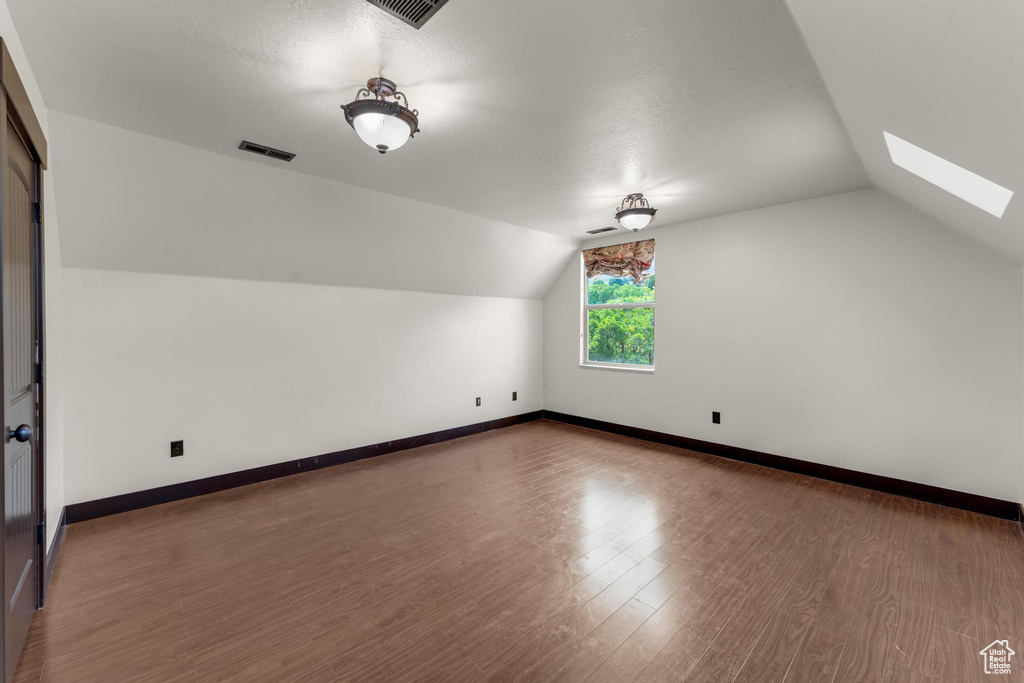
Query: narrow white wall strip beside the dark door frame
x: 54, y: 432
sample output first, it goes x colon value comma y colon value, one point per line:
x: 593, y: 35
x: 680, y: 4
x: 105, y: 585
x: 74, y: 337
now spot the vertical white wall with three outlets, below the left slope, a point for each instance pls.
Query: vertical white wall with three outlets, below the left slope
x: 253, y: 373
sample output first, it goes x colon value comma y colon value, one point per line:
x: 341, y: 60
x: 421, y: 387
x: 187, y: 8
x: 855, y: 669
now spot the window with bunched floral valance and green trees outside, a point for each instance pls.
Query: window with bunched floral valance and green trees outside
x: 619, y: 307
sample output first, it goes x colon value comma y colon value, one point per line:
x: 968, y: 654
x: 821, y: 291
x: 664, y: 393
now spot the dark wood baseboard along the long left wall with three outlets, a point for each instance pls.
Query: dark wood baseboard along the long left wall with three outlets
x: 79, y: 513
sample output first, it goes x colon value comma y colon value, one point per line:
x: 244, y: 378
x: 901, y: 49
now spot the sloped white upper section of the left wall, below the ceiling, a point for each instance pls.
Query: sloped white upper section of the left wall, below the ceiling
x: 143, y: 204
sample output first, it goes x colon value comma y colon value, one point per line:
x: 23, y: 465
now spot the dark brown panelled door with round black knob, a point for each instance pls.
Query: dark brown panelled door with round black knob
x: 21, y: 350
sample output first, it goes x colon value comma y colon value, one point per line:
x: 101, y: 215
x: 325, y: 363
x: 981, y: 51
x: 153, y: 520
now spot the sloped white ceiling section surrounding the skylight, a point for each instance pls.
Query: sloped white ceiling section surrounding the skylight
x: 942, y: 74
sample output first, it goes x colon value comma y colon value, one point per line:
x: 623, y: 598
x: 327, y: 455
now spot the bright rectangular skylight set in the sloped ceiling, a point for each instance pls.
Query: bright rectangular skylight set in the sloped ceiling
x: 969, y: 187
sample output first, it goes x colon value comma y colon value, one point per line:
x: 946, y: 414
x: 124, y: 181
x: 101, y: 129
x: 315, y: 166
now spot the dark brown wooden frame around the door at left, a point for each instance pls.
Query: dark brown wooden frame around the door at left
x: 16, y: 107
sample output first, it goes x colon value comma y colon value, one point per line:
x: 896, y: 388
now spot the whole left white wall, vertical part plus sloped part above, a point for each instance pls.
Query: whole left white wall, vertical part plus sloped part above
x: 283, y: 316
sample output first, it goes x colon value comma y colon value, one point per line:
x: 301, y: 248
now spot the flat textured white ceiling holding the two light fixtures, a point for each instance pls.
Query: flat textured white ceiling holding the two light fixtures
x: 534, y: 113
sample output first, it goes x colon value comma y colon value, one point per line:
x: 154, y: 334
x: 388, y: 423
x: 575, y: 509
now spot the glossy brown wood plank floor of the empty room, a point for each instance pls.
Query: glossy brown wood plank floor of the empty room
x: 537, y: 552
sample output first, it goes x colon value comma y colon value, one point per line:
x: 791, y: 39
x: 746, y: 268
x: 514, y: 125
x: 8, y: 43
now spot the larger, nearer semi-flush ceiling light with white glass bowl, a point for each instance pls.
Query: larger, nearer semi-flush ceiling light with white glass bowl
x: 381, y: 124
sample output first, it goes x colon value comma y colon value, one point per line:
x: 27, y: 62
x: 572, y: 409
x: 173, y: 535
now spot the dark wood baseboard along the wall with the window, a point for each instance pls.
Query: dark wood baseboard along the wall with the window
x: 954, y: 499
